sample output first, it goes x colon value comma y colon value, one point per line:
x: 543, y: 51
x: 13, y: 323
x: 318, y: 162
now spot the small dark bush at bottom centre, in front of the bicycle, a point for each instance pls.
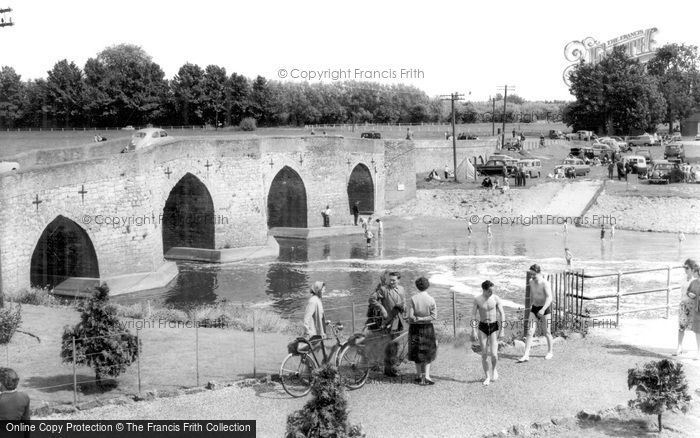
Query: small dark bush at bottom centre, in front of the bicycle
x: 326, y: 414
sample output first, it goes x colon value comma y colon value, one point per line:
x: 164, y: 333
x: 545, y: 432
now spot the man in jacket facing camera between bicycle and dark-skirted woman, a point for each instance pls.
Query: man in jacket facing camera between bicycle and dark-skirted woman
x: 391, y: 301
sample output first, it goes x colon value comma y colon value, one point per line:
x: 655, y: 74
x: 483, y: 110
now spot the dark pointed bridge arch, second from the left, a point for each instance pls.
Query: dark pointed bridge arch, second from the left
x: 188, y: 216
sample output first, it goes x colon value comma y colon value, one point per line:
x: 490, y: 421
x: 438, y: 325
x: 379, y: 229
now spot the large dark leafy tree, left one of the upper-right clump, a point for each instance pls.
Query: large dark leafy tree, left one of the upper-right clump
x: 615, y: 96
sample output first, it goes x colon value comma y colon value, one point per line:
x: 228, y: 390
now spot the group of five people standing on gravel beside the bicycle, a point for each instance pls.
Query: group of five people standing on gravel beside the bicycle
x: 390, y: 313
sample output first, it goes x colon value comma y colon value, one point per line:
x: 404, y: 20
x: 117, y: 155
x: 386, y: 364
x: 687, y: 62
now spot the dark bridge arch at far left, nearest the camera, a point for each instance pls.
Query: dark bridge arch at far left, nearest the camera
x: 64, y: 250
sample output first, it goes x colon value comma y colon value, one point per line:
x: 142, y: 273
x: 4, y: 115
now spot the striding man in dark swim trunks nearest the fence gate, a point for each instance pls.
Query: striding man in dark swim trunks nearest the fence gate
x: 540, y: 312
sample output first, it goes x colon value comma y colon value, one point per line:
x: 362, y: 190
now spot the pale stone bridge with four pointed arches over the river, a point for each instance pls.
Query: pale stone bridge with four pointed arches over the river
x: 119, y: 217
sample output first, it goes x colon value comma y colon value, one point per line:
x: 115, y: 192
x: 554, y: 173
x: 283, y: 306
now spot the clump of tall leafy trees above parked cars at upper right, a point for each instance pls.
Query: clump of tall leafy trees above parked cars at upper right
x: 619, y: 95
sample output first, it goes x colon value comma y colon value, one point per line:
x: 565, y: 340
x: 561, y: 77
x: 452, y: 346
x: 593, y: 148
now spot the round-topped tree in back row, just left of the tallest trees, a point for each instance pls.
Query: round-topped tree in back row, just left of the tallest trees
x: 64, y: 90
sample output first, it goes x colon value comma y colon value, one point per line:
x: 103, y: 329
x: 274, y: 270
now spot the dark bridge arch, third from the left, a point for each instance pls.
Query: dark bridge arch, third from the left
x: 286, y: 201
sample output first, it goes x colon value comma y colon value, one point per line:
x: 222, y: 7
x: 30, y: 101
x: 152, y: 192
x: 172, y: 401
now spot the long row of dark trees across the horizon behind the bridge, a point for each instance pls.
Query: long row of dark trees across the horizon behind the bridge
x: 122, y: 86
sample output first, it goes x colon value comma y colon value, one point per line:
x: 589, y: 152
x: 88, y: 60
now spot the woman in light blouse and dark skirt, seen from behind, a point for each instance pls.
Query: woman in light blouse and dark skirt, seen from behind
x: 422, y: 346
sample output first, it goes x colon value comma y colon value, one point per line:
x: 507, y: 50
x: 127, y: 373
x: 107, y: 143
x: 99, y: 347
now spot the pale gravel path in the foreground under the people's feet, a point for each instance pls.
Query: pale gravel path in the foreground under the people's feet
x: 587, y: 374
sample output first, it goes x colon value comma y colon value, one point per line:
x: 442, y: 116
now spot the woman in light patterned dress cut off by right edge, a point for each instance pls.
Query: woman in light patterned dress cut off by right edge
x: 689, y: 309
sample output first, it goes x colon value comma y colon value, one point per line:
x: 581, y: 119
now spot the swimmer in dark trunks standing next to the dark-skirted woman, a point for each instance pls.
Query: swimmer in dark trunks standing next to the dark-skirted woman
x: 487, y: 305
